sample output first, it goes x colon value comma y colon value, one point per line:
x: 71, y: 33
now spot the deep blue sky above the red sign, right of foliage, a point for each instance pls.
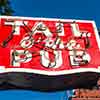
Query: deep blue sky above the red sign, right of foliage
x: 69, y: 9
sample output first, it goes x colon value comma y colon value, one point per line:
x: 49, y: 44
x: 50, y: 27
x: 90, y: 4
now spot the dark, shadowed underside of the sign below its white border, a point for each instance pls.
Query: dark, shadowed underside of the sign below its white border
x: 29, y: 81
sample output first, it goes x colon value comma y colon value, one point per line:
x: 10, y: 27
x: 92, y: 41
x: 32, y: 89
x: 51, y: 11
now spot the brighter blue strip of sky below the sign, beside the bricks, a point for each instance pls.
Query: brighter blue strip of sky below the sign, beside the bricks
x: 31, y: 95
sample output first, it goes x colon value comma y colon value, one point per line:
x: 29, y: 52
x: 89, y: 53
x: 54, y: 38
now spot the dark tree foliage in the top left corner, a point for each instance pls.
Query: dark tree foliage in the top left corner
x: 5, y: 8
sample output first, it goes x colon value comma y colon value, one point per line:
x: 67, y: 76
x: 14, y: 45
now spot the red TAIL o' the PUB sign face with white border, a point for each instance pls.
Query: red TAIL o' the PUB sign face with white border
x: 48, y: 46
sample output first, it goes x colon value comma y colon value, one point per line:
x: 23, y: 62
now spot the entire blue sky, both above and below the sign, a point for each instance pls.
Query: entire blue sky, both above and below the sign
x: 69, y: 9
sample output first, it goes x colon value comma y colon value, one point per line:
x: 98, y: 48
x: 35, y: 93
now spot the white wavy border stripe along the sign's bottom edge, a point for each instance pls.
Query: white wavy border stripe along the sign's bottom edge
x: 50, y: 73
